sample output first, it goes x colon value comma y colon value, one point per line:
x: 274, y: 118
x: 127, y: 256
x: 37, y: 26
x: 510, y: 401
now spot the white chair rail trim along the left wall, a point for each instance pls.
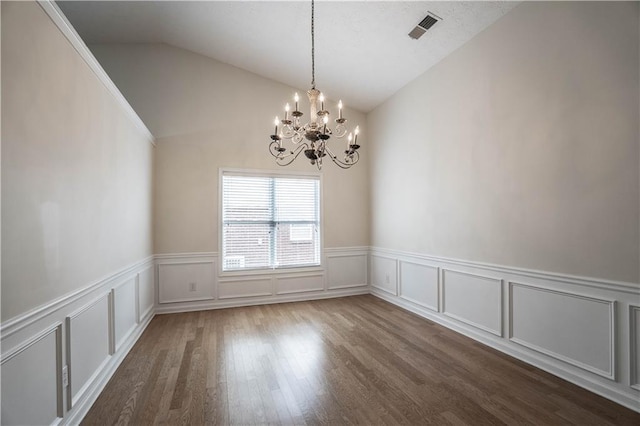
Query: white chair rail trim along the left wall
x: 15, y: 324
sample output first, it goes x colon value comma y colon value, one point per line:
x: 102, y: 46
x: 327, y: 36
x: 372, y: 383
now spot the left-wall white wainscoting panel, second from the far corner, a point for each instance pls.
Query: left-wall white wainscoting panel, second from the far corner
x: 125, y: 314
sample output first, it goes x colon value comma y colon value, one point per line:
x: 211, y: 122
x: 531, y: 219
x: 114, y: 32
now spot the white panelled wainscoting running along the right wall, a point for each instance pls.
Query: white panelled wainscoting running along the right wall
x: 582, y: 329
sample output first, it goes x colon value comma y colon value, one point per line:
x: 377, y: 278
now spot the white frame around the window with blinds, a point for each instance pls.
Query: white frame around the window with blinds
x: 268, y: 174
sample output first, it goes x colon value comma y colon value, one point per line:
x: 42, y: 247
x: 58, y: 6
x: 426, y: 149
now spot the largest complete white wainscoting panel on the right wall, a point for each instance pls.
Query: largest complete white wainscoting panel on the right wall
x: 573, y: 328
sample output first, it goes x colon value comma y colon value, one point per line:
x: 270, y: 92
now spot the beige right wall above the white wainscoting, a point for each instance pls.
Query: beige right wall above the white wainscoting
x: 521, y: 148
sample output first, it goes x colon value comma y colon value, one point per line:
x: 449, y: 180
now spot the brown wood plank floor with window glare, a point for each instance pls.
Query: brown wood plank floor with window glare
x: 354, y: 360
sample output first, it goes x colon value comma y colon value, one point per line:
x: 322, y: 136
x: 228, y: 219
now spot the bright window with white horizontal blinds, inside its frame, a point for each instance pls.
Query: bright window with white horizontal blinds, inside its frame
x: 270, y: 221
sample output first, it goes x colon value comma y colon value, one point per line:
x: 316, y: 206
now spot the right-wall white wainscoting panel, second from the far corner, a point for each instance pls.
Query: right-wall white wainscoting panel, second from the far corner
x: 419, y: 284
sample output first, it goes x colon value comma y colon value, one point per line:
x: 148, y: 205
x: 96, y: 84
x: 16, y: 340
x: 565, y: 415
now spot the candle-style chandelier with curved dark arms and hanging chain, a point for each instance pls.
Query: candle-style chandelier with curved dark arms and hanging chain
x: 312, y: 137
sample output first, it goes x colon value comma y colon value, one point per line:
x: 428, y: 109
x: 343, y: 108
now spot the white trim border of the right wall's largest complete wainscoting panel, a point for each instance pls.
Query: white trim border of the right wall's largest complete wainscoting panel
x: 612, y: 315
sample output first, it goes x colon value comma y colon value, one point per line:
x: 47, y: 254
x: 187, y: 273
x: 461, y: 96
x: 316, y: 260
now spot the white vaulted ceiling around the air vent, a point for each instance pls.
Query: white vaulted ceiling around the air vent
x: 363, y: 52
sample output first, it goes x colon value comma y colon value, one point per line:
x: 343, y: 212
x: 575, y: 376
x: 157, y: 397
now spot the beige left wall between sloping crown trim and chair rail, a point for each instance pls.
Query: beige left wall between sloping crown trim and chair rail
x: 76, y: 171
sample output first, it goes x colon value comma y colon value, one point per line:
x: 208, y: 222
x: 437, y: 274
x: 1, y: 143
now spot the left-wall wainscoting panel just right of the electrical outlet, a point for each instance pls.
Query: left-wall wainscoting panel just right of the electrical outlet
x: 88, y: 345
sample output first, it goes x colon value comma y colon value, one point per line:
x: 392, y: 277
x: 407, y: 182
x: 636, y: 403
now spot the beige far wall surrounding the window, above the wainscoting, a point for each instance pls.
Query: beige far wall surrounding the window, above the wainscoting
x: 206, y: 115
